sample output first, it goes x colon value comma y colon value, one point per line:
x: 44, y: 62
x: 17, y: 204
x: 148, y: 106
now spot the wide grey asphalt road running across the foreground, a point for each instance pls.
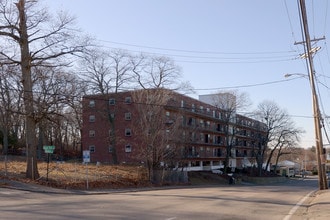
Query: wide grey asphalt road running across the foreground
x: 214, y: 202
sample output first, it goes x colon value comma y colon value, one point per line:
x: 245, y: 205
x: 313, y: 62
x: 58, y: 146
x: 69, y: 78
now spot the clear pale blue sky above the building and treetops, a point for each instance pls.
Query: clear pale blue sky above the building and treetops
x: 240, y: 45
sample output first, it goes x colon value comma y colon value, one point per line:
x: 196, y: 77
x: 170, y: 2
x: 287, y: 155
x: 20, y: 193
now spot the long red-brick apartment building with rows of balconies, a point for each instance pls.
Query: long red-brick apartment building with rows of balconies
x: 110, y: 132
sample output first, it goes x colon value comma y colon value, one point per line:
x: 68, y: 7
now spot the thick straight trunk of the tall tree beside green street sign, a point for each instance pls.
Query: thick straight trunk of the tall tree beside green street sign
x: 31, y: 145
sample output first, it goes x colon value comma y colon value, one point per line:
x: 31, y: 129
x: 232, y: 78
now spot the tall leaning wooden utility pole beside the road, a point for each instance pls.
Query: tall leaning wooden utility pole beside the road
x: 320, y: 154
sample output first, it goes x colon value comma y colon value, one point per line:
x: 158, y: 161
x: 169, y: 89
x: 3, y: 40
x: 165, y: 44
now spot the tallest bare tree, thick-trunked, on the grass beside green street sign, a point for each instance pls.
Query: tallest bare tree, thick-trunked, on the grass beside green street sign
x: 33, y: 38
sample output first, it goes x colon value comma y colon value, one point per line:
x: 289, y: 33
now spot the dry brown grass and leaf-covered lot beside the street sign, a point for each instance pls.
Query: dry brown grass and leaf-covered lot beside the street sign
x: 74, y: 175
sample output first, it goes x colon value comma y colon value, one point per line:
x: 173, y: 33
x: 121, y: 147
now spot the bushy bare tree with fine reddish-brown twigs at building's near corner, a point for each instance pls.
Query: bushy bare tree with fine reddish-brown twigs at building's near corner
x: 156, y: 128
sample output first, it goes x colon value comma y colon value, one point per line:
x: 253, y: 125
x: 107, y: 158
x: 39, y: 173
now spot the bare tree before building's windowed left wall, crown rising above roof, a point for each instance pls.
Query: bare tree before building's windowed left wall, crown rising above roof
x: 108, y: 72
